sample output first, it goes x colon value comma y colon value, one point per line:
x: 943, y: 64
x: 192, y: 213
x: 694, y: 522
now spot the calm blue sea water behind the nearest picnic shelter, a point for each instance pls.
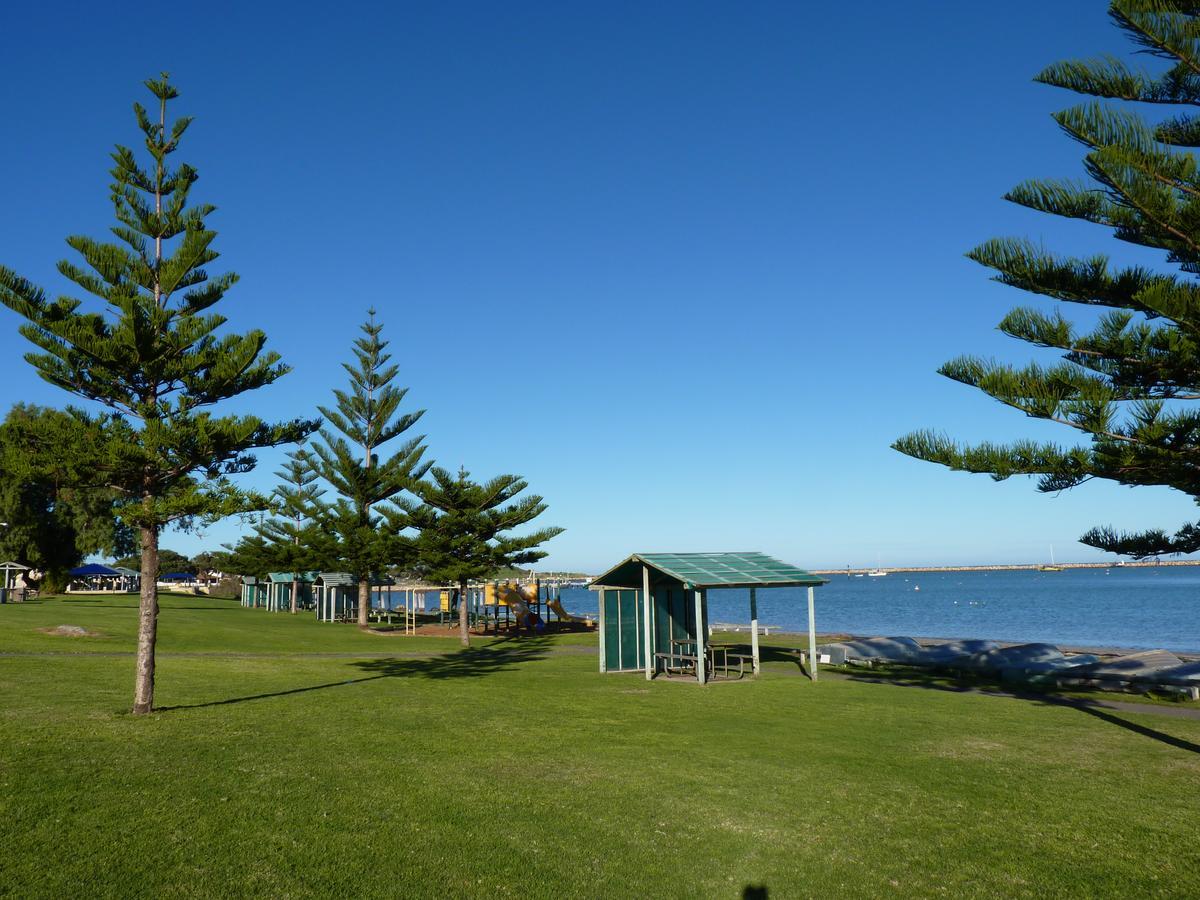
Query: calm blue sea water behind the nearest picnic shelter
x: 1114, y: 608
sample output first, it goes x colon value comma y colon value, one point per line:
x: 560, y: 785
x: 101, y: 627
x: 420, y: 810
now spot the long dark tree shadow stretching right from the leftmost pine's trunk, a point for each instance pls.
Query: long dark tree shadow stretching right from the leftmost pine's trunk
x: 472, y: 663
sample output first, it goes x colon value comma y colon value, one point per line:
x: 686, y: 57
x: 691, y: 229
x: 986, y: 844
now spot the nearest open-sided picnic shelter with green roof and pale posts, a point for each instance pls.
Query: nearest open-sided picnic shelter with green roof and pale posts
x: 661, y: 602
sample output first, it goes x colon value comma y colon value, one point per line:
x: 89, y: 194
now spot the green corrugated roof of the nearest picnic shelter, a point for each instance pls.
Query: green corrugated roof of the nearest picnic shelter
x: 710, y: 571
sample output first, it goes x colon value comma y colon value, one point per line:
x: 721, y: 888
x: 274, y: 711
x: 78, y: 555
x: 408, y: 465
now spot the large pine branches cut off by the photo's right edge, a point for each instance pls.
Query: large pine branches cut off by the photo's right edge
x: 1124, y: 385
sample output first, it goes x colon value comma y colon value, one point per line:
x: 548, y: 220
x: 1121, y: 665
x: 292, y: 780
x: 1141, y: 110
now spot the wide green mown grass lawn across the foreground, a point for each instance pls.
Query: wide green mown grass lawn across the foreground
x: 297, y: 759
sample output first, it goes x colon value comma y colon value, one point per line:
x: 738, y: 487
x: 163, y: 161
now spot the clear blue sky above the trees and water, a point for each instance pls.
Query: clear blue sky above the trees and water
x: 688, y: 267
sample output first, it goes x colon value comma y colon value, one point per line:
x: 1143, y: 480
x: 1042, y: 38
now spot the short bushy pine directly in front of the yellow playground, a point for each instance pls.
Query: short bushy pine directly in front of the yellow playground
x: 461, y: 530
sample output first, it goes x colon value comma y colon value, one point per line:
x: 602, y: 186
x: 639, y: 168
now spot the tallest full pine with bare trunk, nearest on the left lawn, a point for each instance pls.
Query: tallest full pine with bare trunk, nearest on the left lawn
x: 154, y: 359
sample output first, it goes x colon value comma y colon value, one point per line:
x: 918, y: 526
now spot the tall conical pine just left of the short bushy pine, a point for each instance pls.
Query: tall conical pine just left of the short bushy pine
x: 363, y: 422
